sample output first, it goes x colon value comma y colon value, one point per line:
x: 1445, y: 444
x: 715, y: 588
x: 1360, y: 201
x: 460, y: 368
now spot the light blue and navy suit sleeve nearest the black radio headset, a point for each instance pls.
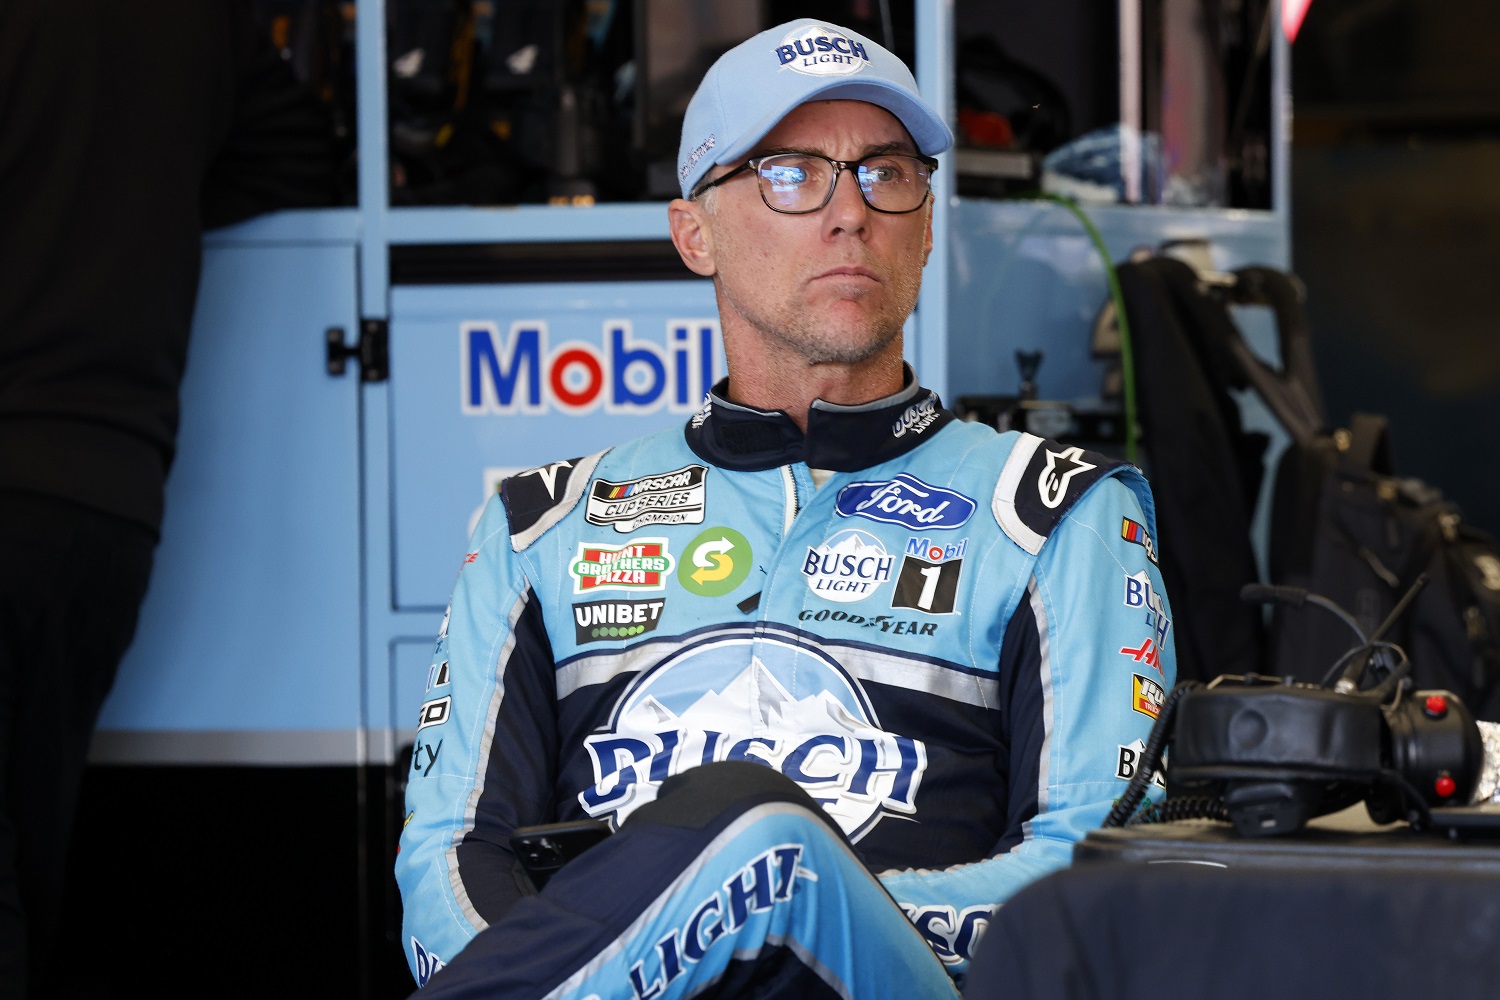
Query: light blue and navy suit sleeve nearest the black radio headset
x: 1073, y: 704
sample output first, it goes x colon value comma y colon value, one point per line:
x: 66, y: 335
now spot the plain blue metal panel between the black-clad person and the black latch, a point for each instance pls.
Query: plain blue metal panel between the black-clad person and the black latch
x: 253, y: 617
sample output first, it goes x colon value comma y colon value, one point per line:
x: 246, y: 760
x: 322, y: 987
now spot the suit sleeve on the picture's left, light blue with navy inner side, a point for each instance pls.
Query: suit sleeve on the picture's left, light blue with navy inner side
x: 485, y: 755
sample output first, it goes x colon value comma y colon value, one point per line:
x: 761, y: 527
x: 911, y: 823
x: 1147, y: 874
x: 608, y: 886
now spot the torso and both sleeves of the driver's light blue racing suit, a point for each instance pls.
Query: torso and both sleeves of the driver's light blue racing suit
x: 958, y: 645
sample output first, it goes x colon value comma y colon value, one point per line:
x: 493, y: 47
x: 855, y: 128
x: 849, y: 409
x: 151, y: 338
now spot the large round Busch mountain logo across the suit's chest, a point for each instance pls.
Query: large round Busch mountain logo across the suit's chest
x: 760, y: 698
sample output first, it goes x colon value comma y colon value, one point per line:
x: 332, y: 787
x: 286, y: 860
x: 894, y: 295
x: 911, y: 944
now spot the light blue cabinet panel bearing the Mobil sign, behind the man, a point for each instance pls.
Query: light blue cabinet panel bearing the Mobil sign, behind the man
x: 482, y: 380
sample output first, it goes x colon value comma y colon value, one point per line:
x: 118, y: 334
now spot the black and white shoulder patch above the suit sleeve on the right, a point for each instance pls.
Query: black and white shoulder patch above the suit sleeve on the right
x: 1042, y: 481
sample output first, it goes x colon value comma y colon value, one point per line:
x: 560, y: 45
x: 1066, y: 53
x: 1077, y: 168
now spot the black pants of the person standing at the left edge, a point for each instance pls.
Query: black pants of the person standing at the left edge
x: 71, y: 585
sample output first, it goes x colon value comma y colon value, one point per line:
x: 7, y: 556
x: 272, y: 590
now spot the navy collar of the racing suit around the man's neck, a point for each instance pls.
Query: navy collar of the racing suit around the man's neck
x: 844, y: 439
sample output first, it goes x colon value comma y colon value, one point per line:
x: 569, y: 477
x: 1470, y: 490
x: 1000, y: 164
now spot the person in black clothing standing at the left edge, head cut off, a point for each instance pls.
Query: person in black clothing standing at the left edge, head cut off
x: 125, y: 131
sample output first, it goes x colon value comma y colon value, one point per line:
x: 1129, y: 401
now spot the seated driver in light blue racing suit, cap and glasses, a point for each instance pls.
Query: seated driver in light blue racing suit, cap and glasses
x: 844, y: 671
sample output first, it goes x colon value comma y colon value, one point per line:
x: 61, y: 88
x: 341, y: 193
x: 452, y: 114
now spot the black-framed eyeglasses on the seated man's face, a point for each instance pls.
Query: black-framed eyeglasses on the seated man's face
x: 800, y: 184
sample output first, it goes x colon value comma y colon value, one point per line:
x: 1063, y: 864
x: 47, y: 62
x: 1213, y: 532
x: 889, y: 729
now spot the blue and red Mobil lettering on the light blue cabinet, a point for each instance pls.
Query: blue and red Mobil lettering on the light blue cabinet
x: 520, y: 371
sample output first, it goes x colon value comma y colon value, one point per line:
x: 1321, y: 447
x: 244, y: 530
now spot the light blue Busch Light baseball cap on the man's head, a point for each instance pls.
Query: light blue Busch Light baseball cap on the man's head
x: 757, y: 83
